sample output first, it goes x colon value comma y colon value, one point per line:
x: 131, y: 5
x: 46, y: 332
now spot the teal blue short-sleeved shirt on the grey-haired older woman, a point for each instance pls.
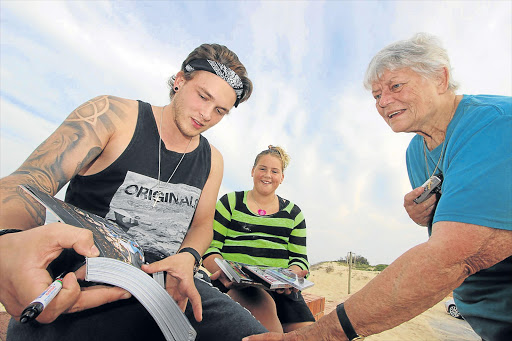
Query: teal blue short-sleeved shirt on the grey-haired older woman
x: 477, y: 189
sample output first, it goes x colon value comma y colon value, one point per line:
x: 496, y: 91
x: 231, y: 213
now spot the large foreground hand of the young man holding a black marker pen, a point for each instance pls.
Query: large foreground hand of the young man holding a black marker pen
x: 24, y: 275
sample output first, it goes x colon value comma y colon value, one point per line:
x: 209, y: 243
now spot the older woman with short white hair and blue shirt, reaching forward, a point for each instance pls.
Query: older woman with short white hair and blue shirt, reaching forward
x: 467, y: 139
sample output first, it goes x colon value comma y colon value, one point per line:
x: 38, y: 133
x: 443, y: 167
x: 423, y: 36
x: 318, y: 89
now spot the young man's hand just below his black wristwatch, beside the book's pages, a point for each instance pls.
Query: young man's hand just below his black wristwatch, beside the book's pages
x: 180, y: 281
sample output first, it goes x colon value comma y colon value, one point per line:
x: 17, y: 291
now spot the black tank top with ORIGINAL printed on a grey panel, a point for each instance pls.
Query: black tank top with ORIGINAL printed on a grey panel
x: 125, y: 191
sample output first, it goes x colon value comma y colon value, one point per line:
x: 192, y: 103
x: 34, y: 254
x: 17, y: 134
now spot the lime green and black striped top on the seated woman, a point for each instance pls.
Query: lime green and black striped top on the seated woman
x: 240, y: 235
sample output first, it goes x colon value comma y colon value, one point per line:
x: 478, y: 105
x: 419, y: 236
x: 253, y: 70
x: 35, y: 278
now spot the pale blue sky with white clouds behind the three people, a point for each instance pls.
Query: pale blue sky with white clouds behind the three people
x: 306, y: 60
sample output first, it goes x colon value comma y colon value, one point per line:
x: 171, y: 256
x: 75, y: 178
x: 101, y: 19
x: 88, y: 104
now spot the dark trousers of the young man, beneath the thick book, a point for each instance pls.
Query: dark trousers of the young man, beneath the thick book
x: 223, y: 320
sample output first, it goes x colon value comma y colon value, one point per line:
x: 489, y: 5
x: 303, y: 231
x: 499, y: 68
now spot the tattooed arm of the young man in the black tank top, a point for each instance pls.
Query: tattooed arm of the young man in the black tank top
x: 84, y: 133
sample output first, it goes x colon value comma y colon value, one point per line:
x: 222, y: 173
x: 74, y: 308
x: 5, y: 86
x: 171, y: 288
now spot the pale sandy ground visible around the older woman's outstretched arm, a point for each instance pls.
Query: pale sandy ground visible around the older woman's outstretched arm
x: 435, y: 324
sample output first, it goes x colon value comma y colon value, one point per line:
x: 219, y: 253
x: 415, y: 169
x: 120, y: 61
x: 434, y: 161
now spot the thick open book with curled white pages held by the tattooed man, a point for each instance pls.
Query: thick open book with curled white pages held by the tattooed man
x: 118, y: 264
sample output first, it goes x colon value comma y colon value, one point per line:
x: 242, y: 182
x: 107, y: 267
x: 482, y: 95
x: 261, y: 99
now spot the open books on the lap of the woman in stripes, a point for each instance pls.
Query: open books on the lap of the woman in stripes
x: 270, y: 278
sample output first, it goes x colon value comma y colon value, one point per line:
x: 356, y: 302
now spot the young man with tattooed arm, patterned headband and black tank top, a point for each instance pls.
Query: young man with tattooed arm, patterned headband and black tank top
x: 150, y: 169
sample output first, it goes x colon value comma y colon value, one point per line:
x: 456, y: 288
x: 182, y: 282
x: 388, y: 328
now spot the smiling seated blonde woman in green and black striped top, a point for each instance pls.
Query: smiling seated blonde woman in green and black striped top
x: 258, y: 227
